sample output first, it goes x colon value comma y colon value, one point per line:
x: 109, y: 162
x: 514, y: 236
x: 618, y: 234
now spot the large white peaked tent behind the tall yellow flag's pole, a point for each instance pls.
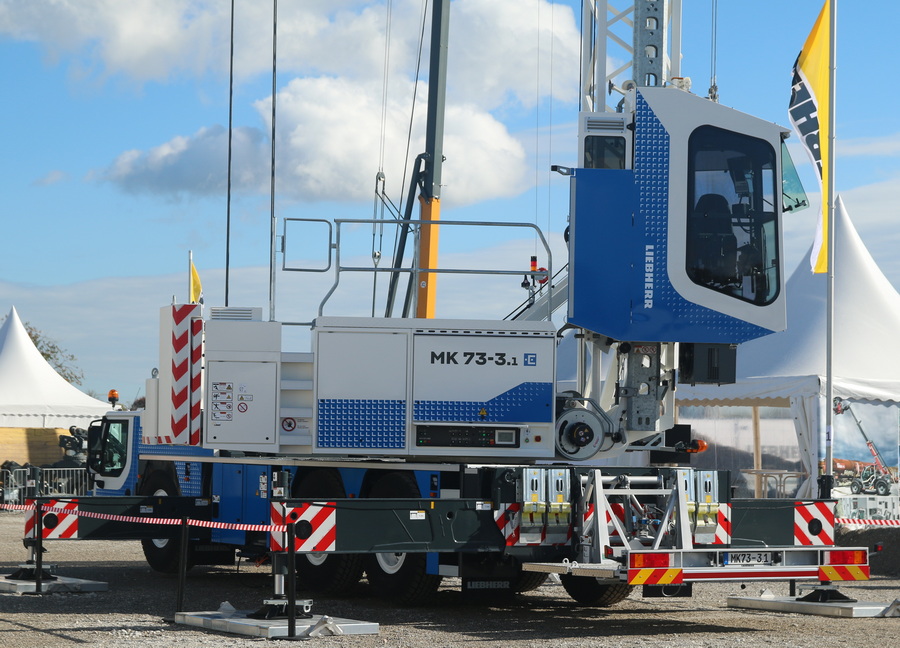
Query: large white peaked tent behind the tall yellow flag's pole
x: 787, y: 369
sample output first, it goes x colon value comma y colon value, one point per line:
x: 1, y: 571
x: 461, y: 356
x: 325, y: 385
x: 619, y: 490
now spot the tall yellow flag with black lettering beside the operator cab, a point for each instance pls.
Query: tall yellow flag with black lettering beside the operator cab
x: 809, y: 111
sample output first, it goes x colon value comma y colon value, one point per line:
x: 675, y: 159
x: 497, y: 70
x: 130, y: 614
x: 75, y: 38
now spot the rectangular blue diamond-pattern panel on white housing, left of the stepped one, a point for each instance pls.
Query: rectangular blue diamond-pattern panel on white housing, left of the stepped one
x: 361, y: 423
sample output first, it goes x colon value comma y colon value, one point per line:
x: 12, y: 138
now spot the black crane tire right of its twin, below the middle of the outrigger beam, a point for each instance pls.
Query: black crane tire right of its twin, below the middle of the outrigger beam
x: 401, y: 577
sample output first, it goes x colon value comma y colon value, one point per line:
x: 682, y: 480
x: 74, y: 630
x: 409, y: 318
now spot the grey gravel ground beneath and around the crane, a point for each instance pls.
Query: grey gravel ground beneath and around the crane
x: 139, y: 605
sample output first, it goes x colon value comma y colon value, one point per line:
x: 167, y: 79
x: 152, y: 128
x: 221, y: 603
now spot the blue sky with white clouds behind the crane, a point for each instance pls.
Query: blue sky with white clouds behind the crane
x: 115, y: 120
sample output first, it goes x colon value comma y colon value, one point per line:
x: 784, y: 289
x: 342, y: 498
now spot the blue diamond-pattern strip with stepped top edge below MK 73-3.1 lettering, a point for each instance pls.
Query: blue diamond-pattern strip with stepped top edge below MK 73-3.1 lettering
x: 528, y: 402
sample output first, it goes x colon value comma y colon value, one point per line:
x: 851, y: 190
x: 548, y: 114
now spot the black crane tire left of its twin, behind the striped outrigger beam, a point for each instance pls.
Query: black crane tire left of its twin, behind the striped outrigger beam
x: 329, y: 575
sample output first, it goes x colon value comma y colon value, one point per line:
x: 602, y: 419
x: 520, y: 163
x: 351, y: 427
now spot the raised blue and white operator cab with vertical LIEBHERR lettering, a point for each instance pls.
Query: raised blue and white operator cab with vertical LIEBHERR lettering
x: 675, y: 222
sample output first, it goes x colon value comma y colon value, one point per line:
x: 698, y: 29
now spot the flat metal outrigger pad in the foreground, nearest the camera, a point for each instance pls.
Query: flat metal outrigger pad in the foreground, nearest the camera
x: 237, y: 622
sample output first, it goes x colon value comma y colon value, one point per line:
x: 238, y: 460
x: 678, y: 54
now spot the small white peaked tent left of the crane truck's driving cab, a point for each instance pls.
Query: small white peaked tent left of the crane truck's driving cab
x: 32, y: 394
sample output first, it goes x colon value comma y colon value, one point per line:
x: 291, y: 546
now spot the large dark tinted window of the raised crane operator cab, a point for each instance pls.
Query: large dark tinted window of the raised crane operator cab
x: 732, y: 215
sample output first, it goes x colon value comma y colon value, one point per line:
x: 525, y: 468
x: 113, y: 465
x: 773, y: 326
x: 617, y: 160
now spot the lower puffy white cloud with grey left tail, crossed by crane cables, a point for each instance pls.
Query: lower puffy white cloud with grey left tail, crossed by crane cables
x: 328, y: 150
